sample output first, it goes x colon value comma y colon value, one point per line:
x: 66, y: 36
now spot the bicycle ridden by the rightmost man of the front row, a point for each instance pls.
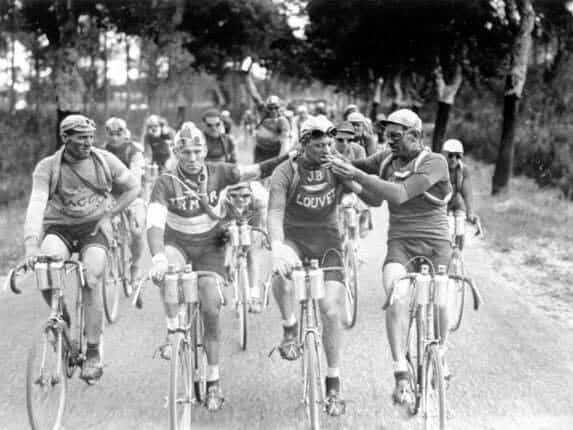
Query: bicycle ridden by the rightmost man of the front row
x: 425, y: 367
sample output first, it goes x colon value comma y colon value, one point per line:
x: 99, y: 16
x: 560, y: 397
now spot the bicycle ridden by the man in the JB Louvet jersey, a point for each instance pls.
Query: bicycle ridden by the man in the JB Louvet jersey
x: 309, y: 288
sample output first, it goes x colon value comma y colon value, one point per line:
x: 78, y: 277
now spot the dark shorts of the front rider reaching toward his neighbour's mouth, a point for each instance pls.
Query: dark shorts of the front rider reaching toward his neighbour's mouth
x: 402, y: 250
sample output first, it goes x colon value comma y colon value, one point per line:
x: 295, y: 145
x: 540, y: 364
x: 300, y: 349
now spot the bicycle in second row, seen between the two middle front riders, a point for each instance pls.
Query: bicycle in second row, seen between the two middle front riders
x: 240, y: 244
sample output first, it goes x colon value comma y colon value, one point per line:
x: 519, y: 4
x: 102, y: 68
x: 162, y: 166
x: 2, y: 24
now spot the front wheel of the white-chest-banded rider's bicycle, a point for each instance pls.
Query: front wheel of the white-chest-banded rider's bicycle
x: 180, y: 384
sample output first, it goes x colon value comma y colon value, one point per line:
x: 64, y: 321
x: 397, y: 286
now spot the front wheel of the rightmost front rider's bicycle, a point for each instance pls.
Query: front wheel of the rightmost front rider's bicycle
x: 434, y: 391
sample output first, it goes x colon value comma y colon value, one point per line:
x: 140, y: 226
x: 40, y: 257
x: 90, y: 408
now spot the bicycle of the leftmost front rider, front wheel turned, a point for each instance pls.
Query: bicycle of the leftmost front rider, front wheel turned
x: 59, y: 347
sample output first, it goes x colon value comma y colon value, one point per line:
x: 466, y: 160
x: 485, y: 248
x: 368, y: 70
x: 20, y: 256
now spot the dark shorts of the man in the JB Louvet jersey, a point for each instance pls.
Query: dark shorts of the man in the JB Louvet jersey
x: 313, y: 243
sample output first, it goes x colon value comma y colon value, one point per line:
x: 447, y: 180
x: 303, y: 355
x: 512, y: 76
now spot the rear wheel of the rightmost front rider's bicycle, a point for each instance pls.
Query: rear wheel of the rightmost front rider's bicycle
x: 414, y: 359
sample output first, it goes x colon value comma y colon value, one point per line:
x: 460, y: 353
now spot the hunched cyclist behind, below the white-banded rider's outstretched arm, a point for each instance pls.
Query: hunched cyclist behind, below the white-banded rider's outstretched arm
x: 247, y: 201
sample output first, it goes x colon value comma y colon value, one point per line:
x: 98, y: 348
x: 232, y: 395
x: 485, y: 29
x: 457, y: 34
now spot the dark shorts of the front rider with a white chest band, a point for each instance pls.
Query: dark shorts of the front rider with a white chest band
x: 205, y: 255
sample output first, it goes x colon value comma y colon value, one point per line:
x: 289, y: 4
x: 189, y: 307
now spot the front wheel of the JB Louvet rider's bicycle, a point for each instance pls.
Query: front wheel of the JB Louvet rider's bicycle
x: 312, y: 380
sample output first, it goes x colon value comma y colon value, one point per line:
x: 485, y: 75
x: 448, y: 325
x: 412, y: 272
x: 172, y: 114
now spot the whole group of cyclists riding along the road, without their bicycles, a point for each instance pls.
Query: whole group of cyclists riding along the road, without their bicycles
x: 80, y: 188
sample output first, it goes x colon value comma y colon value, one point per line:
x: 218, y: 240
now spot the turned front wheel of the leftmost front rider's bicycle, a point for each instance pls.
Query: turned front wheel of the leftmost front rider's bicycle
x: 46, y: 381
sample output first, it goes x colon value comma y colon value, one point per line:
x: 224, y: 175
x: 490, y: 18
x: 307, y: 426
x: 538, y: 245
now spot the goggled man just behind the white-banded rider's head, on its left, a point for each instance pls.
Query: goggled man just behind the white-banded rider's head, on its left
x: 157, y: 138
